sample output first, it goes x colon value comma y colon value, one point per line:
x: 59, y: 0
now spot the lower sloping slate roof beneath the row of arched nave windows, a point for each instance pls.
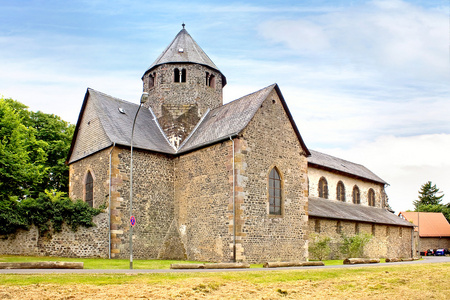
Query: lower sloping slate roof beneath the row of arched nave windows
x: 330, y: 209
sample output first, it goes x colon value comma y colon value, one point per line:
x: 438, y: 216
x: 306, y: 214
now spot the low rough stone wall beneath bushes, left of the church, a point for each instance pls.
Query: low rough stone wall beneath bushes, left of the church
x: 85, y: 242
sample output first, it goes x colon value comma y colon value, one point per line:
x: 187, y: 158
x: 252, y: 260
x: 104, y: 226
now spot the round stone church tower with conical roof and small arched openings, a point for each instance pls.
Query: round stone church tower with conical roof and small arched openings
x: 183, y: 83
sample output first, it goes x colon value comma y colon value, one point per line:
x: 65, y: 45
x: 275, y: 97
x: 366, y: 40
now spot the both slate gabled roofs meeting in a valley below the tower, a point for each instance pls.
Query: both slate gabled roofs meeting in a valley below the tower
x: 217, y: 125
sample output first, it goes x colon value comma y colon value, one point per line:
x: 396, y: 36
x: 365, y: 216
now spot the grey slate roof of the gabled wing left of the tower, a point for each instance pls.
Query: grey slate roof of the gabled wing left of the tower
x: 118, y: 126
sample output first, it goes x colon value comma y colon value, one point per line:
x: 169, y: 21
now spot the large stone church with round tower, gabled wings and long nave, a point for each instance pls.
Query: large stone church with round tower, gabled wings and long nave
x: 215, y: 182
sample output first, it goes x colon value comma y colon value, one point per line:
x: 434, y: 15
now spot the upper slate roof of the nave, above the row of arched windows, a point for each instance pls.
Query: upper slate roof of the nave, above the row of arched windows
x: 332, y: 163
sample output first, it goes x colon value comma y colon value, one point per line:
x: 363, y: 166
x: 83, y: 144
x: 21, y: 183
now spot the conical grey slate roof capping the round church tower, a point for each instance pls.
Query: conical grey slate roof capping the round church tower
x: 183, y: 49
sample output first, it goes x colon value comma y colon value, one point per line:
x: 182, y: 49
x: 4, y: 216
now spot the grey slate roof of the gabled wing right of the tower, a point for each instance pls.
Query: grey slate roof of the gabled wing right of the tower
x: 231, y: 118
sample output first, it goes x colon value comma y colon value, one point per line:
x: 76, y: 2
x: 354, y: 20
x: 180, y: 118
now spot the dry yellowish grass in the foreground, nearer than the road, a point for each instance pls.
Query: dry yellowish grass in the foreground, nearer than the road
x: 423, y: 281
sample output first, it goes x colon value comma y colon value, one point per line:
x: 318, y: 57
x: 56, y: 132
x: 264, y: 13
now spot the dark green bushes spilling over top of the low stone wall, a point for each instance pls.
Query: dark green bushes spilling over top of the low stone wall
x: 47, y: 212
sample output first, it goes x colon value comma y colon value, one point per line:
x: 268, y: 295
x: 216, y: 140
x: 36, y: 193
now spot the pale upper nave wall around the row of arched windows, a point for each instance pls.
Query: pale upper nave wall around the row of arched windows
x: 314, y: 175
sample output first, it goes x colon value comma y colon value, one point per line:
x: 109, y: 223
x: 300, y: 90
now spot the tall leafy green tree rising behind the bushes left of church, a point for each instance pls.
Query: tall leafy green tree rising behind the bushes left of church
x: 33, y: 150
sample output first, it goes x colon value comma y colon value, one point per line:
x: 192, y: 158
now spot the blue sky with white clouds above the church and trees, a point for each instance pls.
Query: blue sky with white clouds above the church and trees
x: 366, y: 81
